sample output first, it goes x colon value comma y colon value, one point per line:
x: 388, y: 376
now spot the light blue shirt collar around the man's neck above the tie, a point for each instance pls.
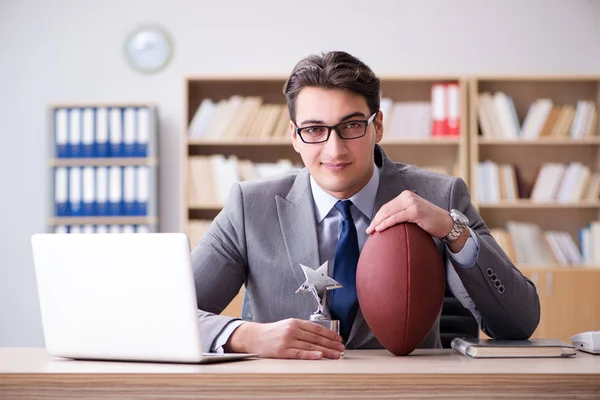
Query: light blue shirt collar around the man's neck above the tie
x: 364, y: 200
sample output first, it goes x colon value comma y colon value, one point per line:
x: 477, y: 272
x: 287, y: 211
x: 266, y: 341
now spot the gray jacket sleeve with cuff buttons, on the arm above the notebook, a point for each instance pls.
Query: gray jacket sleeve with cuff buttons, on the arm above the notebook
x: 506, y: 300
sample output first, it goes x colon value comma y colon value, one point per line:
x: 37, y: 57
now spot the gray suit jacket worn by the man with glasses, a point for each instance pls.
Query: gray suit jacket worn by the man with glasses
x: 267, y: 228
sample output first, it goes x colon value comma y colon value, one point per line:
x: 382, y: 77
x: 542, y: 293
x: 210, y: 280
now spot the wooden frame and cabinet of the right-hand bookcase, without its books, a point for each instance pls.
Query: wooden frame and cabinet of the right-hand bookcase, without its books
x: 569, y: 295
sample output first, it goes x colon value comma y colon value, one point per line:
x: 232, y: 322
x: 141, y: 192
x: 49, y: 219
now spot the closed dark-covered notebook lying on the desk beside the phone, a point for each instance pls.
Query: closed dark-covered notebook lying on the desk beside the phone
x: 494, y: 348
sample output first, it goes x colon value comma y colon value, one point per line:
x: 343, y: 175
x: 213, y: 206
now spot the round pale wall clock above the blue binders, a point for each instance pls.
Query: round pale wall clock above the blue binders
x: 148, y: 49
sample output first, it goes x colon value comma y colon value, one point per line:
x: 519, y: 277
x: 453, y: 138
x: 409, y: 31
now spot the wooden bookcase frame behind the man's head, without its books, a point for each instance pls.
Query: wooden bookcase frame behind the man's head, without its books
x: 441, y: 152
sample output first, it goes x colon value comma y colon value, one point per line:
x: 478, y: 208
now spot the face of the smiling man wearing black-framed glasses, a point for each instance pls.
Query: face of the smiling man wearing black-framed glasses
x: 340, y: 167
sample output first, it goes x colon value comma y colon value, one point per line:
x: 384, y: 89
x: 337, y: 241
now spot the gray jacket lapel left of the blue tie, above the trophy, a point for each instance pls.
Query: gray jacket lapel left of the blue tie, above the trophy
x: 298, y: 227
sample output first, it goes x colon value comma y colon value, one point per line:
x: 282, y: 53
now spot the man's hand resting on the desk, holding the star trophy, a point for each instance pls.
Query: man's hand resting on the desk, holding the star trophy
x: 290, y: 338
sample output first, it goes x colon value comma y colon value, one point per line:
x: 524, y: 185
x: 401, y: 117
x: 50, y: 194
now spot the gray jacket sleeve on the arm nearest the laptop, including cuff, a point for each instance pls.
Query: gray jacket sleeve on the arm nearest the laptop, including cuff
x: 220, y: 267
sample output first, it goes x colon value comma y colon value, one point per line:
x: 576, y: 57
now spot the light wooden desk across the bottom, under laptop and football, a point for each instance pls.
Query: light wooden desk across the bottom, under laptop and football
x: 32, y: 373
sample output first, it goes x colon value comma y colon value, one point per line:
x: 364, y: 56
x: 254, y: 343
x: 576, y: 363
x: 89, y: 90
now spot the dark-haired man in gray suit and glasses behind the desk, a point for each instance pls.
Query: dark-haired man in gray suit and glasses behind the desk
x: 348, y: 189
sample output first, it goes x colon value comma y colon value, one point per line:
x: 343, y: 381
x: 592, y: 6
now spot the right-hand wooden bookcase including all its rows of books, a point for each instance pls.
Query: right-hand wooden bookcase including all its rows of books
x: 535, y: 168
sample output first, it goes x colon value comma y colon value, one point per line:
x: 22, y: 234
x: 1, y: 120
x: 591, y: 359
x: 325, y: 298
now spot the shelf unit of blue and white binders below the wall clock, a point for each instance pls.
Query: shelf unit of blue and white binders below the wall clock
x: 103, y: 165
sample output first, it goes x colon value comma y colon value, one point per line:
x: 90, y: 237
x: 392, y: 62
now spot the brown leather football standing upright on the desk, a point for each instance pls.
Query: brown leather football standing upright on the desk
x: 400, y: 286
